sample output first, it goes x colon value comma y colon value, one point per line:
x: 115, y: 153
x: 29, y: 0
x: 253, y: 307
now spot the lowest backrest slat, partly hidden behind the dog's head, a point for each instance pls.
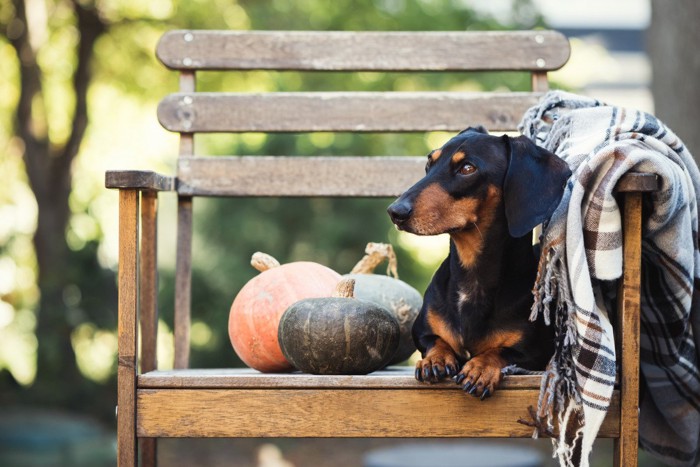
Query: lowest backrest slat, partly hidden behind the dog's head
x: 298, y: 176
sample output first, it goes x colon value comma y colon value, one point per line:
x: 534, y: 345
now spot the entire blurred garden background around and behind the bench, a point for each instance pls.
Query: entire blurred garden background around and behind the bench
x: 79, y: 85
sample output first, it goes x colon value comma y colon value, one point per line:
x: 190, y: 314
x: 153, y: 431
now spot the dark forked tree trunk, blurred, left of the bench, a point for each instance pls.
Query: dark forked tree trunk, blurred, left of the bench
x: 48, y: 165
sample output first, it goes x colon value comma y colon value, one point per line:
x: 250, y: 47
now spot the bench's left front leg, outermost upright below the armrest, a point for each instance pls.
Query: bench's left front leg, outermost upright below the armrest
x: 126, y: 327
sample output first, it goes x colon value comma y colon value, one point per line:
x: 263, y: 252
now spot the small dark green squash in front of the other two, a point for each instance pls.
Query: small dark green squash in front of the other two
x: 338, y: 334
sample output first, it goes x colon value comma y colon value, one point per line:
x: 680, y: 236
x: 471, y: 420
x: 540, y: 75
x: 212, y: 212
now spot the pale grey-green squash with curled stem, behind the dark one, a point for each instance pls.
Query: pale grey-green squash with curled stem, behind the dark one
x: 402, y: 300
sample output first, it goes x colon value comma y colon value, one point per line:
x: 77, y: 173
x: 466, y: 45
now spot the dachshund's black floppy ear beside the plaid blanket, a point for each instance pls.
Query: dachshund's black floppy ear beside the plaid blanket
x: 533, y: 186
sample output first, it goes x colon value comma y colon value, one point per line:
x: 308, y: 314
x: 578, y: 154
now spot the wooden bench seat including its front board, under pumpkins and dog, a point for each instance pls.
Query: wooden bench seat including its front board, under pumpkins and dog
x: 389, y: 403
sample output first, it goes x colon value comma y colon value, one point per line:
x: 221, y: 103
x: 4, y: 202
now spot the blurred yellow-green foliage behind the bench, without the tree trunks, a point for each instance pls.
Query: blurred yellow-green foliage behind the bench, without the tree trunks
x: 128, y: 82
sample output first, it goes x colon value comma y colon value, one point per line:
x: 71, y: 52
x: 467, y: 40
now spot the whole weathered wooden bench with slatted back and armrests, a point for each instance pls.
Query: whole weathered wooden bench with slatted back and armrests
x: 244, y: 403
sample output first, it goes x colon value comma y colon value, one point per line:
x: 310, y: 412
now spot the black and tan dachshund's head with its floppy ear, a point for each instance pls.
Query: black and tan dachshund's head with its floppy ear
x: 476, y: 175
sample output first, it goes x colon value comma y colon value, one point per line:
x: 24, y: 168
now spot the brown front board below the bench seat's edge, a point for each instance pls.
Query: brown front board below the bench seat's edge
x: 338, y: 413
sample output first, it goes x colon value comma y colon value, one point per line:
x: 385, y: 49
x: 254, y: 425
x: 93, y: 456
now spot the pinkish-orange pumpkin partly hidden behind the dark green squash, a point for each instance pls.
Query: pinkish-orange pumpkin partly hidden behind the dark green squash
x: 257, y: 309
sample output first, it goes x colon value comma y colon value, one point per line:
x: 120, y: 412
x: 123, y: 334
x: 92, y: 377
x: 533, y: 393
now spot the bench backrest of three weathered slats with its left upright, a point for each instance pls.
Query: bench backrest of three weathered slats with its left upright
x: 189, y: 112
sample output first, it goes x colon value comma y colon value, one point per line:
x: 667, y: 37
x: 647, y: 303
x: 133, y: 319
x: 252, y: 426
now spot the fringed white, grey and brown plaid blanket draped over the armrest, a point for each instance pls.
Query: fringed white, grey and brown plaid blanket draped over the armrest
x: 581, y: 258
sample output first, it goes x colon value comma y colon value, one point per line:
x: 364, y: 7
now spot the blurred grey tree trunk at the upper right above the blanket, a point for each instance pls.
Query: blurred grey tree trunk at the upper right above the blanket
x: 672, y: 43
